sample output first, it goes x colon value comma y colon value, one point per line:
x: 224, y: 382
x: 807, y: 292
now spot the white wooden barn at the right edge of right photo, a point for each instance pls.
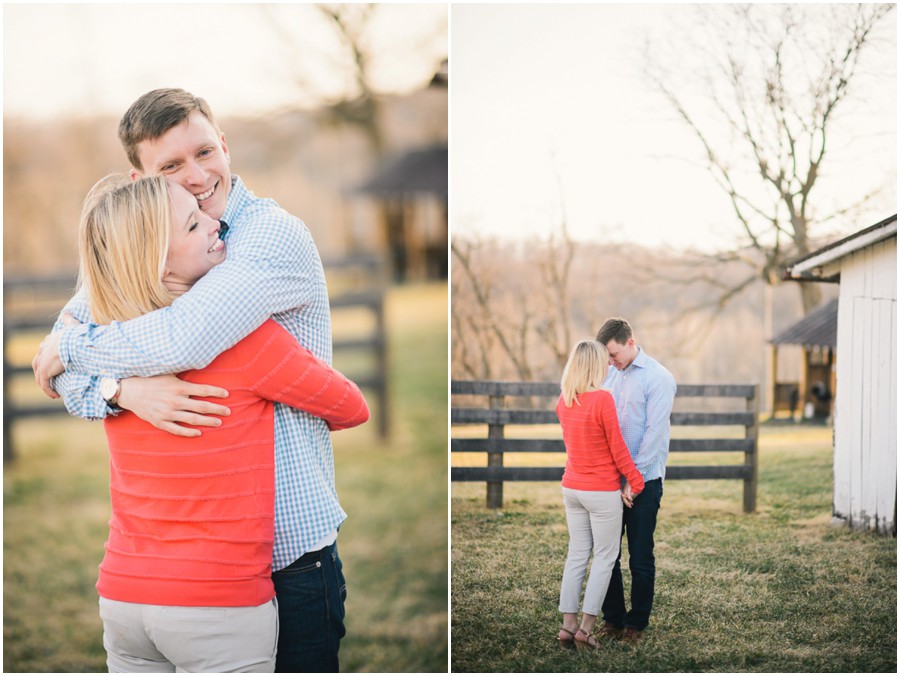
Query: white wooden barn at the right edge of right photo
x: 865, y: 414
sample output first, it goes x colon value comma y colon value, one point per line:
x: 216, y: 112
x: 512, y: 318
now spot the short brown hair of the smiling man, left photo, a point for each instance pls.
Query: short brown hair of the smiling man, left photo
x: 154, y: 114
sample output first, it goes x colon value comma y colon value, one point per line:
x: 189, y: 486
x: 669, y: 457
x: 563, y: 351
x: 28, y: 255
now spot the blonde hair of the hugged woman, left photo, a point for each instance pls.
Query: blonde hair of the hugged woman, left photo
x: 123, y: 240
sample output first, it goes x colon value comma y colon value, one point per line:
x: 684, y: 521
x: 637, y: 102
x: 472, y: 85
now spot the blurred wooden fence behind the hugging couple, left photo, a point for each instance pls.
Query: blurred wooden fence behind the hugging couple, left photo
x: 357, y: 285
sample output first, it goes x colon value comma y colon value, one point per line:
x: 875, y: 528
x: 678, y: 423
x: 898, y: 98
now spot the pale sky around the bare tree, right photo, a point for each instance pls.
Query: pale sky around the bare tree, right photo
x: 546, y: 91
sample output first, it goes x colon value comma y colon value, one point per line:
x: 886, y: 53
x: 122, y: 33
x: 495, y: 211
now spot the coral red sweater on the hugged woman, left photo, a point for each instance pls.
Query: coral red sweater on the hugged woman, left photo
x: 193, y: 518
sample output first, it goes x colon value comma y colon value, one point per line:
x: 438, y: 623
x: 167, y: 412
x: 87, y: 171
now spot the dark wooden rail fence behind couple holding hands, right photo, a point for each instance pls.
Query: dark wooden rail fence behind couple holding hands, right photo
x: 497, y: 417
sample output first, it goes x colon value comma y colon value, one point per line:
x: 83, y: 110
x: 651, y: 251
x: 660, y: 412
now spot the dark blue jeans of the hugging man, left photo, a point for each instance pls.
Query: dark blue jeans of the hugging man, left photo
x: 311, y: 594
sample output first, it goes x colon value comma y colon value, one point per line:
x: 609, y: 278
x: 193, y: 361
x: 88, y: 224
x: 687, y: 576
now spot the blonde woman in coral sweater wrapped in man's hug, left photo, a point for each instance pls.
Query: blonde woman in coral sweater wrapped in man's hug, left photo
x: 186, y: 583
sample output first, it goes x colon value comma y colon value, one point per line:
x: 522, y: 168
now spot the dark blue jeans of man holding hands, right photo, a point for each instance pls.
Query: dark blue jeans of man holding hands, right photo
x: 638, y: 523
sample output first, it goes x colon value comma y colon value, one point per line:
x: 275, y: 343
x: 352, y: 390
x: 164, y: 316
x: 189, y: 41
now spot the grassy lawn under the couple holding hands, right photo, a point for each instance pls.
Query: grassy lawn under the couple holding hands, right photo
x: 777, y: 591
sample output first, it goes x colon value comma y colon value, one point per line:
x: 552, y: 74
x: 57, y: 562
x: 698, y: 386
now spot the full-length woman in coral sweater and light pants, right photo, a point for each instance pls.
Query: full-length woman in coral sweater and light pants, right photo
x: 596, y: 460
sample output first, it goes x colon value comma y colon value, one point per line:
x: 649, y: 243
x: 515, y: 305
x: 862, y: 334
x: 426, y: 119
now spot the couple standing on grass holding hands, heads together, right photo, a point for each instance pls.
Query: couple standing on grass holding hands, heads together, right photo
x: 614, y: 410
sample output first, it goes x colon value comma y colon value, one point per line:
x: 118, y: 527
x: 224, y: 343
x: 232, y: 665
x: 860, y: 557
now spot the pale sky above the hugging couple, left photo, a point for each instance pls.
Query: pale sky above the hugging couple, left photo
x: 85, y: 59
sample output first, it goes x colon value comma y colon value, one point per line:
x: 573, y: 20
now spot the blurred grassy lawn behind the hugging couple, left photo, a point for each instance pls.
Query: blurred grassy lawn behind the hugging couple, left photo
x: 393, y: 544
